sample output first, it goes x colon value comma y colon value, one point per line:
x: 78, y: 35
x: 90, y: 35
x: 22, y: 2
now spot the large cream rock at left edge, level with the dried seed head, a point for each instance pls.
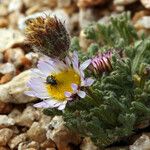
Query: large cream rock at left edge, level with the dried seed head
x: 9, y: 37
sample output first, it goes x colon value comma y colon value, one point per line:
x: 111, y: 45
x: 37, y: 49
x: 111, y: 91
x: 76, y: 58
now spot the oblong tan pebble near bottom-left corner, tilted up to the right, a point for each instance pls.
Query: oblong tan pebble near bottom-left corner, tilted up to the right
x: 14, y: 142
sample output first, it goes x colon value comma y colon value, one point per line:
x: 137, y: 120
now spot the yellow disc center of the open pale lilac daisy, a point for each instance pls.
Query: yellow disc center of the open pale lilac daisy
x: 63, y: 80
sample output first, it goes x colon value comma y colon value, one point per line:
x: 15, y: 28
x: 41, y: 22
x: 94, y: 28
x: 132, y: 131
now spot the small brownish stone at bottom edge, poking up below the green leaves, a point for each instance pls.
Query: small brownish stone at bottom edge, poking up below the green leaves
x: 87, y: 144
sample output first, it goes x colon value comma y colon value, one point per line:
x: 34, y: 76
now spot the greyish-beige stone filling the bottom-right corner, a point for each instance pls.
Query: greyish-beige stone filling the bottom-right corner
x: 142, y: 143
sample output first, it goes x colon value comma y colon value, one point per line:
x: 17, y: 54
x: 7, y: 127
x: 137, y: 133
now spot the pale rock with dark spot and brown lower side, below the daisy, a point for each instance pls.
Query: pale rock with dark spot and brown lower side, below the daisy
x: 60, y: 134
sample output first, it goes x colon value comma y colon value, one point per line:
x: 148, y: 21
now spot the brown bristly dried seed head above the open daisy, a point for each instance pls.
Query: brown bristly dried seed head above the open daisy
x: 48, y: 36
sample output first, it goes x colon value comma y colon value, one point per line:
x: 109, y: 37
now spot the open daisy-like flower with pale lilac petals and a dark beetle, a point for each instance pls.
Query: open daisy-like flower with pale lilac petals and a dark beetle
x: 57, y: 82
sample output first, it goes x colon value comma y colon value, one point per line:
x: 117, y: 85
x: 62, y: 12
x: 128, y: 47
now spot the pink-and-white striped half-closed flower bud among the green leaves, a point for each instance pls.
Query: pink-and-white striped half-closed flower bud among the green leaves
x: 102, y: 62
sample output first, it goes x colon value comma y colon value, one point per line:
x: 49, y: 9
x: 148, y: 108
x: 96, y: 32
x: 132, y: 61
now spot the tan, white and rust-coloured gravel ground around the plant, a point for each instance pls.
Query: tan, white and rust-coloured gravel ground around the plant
x: 22, y: 126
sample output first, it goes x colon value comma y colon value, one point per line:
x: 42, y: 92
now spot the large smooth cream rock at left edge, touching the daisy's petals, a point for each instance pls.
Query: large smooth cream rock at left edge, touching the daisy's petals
x: 13, y: 91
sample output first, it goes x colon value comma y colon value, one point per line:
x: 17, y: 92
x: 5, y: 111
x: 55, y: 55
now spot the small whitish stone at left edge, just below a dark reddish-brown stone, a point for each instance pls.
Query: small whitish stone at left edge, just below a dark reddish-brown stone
x: 6, y: 121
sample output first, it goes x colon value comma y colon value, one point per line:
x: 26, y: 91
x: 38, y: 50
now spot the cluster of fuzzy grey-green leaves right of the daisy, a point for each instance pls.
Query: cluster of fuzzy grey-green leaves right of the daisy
x: 119, y: 100
